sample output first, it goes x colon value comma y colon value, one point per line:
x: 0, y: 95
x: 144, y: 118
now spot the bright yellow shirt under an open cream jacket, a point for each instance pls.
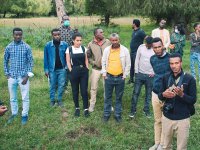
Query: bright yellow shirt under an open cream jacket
x: 114, y: 62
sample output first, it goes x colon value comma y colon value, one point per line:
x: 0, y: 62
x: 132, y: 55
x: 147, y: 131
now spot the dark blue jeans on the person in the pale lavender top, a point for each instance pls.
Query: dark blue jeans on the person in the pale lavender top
x: 142, y: 79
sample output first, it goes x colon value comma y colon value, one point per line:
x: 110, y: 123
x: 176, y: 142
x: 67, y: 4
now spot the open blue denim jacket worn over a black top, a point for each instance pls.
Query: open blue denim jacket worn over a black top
x: 50, y: 56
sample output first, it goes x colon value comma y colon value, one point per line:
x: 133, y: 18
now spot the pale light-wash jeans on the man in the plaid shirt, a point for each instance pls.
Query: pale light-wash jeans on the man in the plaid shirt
x: 12, y: 87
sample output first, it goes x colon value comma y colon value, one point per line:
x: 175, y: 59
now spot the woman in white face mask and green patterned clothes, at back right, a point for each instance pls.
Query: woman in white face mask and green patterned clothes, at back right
x: 177, y: 40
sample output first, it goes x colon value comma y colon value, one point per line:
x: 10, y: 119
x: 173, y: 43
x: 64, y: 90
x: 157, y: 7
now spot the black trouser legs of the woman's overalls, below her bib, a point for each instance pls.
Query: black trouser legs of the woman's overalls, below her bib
x: 79, y: 77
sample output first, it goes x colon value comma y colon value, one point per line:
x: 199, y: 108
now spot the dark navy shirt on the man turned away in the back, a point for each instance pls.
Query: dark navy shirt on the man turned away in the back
x: 137, y: 39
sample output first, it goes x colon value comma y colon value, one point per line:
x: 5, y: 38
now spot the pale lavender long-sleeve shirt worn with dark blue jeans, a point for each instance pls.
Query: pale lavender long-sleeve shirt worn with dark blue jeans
x: 142, y: 60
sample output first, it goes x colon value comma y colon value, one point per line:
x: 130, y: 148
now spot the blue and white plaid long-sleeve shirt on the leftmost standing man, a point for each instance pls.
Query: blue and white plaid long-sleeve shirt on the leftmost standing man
x: 18, y: 59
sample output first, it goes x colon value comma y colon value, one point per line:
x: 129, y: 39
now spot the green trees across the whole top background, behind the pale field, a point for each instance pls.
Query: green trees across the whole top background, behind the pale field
x: 174, y: 11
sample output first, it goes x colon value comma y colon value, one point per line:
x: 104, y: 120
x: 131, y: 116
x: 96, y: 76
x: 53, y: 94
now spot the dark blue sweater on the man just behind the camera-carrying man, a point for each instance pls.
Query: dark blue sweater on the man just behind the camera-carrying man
x: 160, y: 67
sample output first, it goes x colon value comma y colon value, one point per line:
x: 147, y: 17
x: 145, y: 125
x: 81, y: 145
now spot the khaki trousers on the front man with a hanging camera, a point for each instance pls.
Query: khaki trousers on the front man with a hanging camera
x: 178, y: 127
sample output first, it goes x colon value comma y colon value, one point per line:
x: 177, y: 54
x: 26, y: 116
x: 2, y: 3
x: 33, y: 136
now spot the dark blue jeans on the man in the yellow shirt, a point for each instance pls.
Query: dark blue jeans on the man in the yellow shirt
x: 110, y: 84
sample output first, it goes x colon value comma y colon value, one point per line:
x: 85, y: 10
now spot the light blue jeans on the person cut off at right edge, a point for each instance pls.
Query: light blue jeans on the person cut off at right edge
x: 194, y: 57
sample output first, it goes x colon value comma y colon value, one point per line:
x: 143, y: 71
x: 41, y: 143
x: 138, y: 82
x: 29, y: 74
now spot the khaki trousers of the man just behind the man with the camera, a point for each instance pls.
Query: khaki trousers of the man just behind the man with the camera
x: 157, y: 110
